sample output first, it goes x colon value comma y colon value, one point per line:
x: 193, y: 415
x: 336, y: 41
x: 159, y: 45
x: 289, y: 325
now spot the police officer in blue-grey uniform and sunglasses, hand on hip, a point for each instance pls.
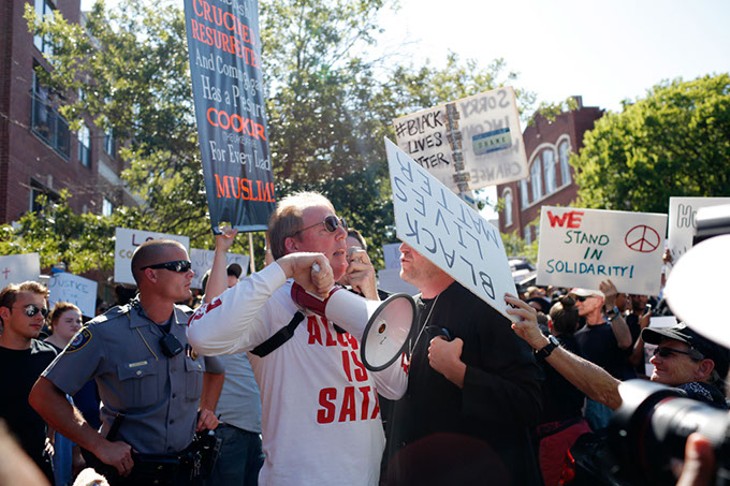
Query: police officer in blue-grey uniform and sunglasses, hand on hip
x: 150, y: 381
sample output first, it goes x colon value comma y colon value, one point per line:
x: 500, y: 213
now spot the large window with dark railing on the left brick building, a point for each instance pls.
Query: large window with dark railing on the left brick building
x: 46, y: 122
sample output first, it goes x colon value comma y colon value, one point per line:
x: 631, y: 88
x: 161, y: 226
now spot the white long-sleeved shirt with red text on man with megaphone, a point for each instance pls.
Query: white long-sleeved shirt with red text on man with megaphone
x: 320, y: 415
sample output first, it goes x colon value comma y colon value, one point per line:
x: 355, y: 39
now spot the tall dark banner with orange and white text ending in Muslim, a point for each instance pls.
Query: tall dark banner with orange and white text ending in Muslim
x: 224, y: 47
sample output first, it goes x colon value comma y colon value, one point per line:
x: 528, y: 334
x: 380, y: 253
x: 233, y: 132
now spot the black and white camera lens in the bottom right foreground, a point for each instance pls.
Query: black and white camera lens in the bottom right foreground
x: 648, y: 432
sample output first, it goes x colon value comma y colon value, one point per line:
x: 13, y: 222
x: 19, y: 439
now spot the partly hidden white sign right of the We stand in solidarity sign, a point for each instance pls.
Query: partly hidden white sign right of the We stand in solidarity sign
x: 682, y: 213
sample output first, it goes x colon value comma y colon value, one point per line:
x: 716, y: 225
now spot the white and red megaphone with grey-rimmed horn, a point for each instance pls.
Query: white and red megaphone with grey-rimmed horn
x: 382, y: 327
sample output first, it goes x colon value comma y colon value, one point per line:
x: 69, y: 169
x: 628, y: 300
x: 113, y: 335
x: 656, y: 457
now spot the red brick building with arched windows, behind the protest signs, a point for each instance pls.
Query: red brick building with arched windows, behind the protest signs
x: 548, y: 145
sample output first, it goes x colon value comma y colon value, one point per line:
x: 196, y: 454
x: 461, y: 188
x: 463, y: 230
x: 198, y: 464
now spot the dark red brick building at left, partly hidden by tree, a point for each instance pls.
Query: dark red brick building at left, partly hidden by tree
x: 38, y: 151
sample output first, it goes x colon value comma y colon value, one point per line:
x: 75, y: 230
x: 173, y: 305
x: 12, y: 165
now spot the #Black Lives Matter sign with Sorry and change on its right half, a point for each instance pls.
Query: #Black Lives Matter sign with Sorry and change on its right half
x: 483, y: 130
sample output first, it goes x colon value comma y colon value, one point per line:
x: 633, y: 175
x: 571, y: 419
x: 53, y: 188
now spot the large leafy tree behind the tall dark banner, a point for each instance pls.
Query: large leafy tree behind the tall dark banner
x: 329, y: 106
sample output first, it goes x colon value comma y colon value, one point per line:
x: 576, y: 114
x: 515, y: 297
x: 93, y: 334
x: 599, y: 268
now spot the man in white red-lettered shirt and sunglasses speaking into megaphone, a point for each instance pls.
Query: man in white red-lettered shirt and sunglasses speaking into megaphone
x: 320, y: 414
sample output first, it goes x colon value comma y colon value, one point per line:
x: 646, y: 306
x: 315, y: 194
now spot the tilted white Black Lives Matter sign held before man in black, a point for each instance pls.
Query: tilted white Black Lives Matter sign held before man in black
x: 447, y: 231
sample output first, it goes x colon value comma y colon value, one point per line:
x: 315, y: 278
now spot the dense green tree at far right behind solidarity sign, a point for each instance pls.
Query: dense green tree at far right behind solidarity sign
x: 675, y: 142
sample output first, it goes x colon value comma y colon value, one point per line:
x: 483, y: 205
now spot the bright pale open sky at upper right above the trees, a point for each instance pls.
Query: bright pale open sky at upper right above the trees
x: 604, y: 51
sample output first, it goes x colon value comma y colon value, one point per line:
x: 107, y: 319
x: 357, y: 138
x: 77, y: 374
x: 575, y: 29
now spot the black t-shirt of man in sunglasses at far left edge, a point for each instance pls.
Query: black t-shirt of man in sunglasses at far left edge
x: 19, y: 370
